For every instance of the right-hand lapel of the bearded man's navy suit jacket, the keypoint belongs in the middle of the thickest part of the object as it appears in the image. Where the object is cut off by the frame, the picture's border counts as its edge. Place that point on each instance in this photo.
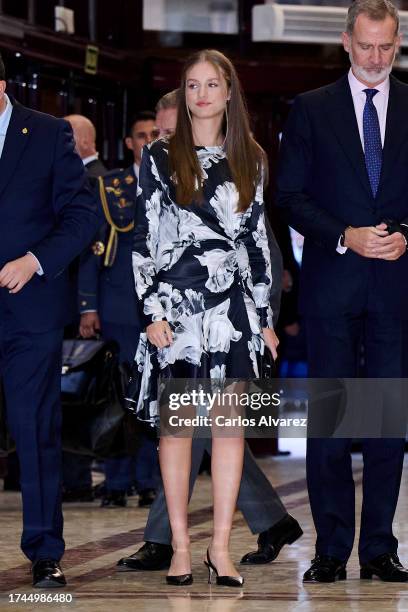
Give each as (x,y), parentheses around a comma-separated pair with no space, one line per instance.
(396,126)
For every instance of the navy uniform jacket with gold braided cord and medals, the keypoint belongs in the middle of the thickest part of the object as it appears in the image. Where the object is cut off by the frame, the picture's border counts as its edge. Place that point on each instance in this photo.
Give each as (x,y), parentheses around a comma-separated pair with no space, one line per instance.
(110,290)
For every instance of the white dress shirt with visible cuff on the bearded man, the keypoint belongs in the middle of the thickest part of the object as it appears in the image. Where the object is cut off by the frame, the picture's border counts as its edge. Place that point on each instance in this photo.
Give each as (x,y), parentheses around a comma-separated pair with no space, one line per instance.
(380,102)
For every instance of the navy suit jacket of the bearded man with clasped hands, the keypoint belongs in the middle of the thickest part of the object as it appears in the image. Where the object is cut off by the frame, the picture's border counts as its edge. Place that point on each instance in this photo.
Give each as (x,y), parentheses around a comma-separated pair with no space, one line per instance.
(323,187)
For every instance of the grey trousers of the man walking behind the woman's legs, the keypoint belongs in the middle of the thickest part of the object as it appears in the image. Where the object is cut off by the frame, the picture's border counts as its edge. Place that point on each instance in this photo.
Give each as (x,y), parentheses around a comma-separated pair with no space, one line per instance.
(257,499)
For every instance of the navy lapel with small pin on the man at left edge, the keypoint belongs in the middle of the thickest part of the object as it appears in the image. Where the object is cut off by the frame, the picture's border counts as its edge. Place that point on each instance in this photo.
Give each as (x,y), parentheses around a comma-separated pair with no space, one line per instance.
(17,137)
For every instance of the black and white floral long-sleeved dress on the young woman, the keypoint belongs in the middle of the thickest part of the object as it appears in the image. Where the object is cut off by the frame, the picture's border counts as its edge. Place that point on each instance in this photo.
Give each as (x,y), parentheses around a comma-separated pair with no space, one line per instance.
(205,269)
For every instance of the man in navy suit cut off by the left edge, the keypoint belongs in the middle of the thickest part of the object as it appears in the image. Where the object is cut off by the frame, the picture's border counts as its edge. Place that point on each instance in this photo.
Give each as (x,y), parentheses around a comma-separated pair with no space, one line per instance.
(48,215)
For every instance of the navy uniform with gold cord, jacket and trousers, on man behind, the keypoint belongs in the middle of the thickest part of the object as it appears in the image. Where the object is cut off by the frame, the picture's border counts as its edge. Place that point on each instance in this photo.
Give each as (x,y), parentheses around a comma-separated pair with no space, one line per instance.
(108,303)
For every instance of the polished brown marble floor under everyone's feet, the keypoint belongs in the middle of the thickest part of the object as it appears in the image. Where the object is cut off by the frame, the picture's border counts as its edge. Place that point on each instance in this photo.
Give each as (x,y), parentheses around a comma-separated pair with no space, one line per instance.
(96,538)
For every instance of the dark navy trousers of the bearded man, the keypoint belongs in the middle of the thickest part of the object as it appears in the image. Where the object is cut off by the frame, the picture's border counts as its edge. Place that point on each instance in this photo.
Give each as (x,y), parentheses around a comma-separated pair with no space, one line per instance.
(333,351)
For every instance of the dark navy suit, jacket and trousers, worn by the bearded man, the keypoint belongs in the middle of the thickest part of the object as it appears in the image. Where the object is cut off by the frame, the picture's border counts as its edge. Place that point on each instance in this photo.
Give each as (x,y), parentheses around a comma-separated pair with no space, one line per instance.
(323,187)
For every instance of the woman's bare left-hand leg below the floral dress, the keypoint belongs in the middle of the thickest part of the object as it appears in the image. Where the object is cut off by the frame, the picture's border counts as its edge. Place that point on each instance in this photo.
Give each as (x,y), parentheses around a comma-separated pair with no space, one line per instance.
(175,465)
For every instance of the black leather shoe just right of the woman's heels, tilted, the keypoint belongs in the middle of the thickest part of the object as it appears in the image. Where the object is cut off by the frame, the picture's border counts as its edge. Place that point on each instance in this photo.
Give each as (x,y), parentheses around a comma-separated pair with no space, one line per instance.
(271,542)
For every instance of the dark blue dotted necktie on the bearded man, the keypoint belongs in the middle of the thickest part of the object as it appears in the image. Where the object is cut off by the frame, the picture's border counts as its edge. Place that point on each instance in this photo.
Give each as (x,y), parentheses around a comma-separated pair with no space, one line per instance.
(372,140)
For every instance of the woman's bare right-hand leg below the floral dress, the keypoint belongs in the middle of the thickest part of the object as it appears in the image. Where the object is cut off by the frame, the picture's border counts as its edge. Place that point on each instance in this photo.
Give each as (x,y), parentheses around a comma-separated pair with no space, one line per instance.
(226,470)
